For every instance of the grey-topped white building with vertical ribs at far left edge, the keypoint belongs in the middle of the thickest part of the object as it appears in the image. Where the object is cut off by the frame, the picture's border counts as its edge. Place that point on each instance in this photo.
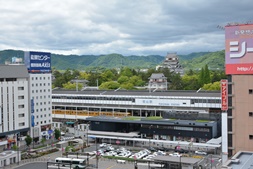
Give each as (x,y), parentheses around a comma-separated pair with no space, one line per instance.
(14,109)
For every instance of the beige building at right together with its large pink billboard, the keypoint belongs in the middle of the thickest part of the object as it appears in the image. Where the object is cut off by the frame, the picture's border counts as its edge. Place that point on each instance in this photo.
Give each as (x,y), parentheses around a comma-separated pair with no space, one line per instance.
(239,68)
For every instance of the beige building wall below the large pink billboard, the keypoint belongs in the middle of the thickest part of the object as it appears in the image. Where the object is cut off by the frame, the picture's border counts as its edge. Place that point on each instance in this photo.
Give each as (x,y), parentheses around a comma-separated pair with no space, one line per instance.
(240,113)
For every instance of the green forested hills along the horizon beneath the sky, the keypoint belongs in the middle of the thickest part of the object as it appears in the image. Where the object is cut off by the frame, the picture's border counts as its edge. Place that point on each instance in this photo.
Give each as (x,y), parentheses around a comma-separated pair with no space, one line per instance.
(84,62)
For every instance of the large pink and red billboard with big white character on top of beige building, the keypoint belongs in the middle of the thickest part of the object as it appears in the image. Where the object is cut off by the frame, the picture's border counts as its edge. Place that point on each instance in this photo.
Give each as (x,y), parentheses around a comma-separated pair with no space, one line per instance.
(239,49)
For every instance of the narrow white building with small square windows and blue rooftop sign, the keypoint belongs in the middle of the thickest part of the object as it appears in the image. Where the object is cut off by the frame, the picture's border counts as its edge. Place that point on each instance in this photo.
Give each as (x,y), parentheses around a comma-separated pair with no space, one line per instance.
(39,68)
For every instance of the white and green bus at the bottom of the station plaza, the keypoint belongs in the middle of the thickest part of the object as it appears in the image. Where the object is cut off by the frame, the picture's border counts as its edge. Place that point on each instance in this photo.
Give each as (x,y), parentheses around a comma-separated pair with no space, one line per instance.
(72,162)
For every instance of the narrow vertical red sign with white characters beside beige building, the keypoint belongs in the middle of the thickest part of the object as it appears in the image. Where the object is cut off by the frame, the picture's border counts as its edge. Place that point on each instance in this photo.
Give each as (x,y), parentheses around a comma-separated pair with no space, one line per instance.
(224,95)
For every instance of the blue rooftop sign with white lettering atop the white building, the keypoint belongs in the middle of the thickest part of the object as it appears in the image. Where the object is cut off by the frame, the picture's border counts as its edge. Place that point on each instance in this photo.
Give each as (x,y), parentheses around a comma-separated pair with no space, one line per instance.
(38,61)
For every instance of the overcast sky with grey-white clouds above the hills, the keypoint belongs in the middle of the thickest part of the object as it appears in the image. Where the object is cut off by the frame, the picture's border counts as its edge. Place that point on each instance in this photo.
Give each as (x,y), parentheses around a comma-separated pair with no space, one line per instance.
(128,27)
